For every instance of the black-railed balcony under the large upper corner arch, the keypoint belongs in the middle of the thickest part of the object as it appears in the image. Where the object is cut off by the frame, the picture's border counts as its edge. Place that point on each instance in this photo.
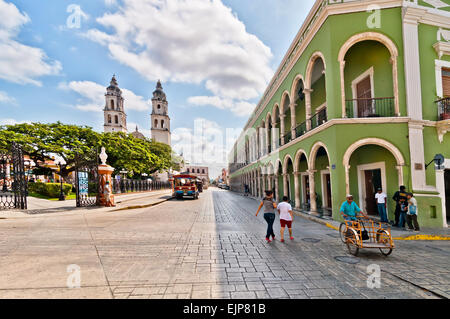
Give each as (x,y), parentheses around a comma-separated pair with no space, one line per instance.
(374,107)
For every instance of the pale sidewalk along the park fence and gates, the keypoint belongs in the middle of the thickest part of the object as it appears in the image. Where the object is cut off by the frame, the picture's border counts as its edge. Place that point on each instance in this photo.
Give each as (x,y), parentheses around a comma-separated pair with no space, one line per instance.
(41,207)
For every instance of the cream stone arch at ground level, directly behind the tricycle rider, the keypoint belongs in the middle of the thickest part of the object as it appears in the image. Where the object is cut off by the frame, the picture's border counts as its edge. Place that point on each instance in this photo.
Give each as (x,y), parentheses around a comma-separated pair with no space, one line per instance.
(373,141)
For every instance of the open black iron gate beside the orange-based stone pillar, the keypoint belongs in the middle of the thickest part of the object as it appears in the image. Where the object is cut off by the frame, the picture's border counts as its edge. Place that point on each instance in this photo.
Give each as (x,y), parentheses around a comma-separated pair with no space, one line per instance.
(87,180)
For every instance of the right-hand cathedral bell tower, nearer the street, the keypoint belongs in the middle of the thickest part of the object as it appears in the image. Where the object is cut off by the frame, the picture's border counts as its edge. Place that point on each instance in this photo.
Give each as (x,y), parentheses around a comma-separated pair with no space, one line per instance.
(160,116)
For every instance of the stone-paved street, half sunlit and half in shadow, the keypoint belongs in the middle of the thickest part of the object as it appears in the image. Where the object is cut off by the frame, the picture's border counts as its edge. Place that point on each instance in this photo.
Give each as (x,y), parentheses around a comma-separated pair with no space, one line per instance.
(210,248)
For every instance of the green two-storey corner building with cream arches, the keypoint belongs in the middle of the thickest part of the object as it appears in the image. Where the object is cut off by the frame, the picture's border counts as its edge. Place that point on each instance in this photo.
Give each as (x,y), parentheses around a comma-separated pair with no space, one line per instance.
(361,101)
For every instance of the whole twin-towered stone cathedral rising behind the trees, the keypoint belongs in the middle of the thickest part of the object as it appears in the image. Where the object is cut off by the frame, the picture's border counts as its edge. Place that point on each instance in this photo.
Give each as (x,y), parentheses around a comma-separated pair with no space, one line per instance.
(116,119)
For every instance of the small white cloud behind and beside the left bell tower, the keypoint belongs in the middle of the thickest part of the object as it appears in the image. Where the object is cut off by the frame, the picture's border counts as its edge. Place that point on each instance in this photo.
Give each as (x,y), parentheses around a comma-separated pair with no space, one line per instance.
(93,97)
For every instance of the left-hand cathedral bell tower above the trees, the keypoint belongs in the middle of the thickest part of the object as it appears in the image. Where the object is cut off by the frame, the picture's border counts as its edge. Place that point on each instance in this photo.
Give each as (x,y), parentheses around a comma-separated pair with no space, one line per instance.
(115,117)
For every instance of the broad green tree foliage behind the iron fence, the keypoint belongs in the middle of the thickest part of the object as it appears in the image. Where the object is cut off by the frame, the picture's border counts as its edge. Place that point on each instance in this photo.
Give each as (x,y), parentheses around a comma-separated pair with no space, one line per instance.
(78,146)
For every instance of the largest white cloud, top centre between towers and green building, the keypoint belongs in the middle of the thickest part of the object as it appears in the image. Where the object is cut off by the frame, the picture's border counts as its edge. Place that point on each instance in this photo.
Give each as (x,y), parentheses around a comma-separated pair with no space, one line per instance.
(196,41)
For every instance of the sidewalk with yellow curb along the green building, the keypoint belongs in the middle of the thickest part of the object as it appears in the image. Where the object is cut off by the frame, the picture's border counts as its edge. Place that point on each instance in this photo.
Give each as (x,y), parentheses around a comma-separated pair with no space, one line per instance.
(397,234)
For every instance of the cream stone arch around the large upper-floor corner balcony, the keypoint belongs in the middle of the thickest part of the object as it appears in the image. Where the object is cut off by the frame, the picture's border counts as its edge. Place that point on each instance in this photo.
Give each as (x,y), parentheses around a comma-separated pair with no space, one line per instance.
(370,36)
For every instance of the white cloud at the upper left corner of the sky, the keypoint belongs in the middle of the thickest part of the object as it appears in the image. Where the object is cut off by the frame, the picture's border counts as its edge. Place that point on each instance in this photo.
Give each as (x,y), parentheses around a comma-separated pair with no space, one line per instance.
(20,63)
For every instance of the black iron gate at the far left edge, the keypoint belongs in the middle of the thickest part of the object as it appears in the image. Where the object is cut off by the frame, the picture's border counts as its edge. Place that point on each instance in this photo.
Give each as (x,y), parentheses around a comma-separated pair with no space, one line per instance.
(13,181)
